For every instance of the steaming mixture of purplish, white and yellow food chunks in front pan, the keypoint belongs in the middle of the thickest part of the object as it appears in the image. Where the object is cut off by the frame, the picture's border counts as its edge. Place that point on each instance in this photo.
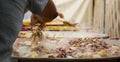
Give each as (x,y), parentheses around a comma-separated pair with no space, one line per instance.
(66,48)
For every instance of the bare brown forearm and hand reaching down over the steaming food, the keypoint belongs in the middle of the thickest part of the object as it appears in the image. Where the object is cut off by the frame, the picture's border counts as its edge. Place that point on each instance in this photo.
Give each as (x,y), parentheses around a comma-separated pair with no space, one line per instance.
(47,15)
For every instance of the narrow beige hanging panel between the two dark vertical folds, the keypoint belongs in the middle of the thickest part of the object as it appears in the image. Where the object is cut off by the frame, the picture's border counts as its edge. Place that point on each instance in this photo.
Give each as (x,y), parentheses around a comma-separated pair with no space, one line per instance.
(98,18)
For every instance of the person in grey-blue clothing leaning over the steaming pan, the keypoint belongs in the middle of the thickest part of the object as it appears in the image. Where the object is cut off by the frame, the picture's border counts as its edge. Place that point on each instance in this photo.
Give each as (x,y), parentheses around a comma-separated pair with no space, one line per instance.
(11,16)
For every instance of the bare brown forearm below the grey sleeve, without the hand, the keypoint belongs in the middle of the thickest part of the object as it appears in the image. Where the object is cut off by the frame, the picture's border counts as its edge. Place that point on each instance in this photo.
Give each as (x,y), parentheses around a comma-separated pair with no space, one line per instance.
(49,13)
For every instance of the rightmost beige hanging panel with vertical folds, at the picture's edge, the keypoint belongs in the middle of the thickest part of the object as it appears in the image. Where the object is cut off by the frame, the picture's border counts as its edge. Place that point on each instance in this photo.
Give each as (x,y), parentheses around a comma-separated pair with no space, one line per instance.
(112,21)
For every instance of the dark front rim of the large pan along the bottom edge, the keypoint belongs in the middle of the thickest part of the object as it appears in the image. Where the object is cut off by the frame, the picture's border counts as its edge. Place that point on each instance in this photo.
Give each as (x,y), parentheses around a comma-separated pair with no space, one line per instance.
(107,59)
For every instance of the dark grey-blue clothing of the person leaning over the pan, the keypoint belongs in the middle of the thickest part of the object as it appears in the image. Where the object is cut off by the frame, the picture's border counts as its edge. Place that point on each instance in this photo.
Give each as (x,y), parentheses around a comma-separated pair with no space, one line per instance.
(11,16)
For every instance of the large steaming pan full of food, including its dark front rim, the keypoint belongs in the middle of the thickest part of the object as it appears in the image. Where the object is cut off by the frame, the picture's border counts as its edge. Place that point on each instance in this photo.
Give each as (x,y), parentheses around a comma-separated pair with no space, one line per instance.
(68,49)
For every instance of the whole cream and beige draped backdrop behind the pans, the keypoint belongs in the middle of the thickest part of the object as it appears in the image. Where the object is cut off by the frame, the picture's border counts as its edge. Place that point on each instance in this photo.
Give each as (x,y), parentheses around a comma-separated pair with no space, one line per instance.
(101,16)
